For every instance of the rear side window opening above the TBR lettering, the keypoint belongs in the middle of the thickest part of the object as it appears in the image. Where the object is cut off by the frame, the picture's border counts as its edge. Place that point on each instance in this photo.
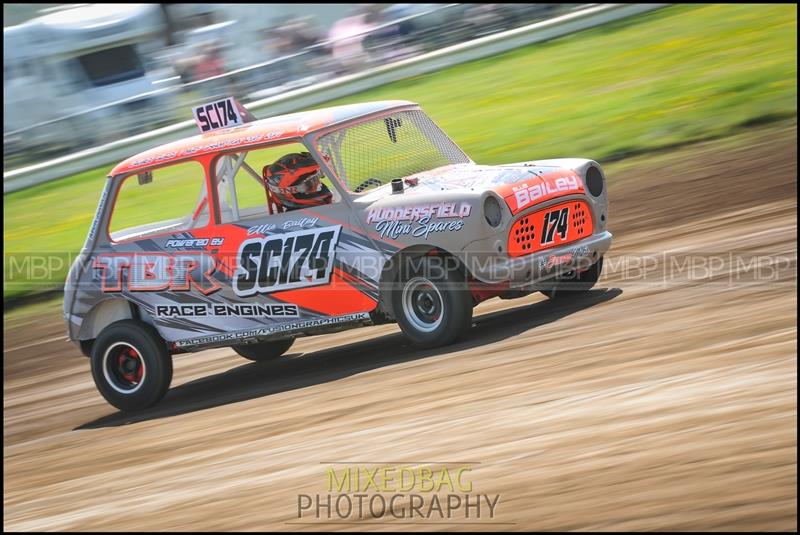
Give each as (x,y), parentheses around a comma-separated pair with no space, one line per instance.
(168,199)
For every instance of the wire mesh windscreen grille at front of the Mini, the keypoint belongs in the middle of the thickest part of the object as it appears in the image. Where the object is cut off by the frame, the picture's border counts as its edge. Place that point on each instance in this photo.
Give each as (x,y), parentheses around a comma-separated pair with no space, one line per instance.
(373,153)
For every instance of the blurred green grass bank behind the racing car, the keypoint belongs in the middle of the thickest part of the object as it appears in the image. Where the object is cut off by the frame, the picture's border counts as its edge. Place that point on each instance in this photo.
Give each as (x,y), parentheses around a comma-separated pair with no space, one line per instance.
(670,77)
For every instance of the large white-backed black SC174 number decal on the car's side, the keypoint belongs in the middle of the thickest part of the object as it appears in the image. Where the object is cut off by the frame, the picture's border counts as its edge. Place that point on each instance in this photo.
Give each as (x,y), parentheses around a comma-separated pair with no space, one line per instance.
(286,261)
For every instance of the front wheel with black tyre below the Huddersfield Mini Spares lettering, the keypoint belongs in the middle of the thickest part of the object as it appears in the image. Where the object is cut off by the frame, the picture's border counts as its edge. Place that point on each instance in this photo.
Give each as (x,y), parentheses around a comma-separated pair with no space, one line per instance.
(431,301)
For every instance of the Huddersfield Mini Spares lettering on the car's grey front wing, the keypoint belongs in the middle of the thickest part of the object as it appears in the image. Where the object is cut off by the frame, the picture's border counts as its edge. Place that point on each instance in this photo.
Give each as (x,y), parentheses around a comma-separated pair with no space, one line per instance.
(417,220)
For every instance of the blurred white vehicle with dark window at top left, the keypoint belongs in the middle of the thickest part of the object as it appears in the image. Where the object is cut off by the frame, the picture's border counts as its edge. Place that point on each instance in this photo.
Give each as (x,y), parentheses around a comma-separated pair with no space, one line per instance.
(59,65)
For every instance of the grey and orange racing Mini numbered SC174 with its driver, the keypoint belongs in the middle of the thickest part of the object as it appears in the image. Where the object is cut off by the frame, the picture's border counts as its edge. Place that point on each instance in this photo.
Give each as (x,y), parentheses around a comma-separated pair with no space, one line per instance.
(256,232)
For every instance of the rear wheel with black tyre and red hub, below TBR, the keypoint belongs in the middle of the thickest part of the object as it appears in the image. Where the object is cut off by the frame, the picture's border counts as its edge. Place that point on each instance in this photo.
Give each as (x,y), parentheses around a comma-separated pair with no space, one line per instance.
(131,366)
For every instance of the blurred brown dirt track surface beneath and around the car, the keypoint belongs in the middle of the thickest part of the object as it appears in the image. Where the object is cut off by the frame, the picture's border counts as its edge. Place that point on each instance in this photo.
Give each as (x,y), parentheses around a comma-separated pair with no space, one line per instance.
(660,402)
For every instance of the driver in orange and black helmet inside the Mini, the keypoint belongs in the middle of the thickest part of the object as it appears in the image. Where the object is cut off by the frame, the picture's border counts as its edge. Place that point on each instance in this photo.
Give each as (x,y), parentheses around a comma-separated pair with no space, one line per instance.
(294,182)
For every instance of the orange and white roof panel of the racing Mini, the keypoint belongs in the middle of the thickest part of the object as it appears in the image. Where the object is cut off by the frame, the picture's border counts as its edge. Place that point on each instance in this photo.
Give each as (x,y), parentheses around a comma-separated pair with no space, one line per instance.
(272,129)
